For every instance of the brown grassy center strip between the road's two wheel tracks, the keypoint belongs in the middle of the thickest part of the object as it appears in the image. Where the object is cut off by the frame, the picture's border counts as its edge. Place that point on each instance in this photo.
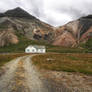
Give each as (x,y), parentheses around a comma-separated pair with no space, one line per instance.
(19,82)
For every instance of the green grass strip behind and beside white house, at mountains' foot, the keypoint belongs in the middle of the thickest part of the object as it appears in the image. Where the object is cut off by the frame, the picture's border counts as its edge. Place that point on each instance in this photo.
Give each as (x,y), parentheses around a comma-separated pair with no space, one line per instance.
(24,42)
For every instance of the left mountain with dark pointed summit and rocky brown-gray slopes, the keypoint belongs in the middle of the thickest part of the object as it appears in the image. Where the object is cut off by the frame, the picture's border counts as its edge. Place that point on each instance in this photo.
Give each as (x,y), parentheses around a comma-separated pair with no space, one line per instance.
(17,22)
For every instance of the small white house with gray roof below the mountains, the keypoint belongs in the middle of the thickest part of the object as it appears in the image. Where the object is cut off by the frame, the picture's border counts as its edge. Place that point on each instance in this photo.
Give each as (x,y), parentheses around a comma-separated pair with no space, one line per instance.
(35,49)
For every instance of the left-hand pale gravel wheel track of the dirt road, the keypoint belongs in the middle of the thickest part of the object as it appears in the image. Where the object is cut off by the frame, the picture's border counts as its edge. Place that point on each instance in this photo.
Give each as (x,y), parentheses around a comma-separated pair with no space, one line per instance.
(8,76)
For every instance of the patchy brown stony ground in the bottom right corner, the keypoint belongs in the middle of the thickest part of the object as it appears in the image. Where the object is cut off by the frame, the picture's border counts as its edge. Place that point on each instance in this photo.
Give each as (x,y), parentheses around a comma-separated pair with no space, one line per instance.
(76,82)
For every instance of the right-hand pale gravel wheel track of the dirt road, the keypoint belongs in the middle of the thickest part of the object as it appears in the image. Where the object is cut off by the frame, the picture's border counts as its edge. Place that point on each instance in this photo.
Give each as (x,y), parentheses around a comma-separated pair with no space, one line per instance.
(32,77)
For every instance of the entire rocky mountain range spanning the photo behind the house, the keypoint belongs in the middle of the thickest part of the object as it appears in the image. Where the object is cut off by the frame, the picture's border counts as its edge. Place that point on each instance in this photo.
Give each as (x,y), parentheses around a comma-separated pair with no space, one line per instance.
(17,24)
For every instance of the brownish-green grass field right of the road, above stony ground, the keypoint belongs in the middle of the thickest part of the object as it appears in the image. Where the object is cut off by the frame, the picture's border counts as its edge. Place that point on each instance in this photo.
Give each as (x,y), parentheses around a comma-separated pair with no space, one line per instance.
(81,63)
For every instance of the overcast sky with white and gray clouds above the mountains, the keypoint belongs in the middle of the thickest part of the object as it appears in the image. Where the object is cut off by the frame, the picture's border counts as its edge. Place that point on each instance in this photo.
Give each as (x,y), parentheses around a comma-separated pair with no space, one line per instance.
(54,12)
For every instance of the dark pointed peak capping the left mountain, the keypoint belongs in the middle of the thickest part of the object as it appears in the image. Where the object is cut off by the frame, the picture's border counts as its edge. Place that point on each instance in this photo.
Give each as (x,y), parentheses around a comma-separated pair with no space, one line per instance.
(17,12)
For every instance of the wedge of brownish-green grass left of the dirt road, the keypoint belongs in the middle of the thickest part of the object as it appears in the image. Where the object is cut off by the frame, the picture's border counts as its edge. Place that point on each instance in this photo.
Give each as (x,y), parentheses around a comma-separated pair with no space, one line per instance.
(6,58)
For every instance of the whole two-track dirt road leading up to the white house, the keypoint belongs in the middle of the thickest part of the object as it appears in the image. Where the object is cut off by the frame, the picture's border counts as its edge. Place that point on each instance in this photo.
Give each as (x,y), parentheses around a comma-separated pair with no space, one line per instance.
(22,76)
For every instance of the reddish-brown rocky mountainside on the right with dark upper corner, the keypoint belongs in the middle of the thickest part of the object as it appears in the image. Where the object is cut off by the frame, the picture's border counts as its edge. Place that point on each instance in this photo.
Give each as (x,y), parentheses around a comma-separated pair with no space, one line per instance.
(74,33)
